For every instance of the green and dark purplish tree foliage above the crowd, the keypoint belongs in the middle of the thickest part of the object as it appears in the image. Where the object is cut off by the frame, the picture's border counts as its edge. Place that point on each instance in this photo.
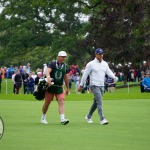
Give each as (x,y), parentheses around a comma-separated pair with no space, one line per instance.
(32,27)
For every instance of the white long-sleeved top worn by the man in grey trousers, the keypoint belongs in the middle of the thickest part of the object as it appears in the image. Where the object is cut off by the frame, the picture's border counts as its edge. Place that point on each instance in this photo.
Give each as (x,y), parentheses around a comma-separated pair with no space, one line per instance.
(97,71)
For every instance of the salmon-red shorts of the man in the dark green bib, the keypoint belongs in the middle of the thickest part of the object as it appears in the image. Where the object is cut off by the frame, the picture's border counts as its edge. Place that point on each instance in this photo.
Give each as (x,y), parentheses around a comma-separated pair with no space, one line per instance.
(49,96)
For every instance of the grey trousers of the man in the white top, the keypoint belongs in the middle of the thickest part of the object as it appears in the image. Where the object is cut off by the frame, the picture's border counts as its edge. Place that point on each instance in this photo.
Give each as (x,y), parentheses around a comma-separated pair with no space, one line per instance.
(97,103)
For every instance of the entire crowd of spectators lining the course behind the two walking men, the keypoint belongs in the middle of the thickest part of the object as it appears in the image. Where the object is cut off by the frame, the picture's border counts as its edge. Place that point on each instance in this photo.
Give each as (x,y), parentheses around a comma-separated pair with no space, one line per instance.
(23,76)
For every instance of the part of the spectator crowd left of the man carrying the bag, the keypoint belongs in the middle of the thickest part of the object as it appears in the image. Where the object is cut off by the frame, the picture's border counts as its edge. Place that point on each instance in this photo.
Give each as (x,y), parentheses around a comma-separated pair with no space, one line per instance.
(24,80)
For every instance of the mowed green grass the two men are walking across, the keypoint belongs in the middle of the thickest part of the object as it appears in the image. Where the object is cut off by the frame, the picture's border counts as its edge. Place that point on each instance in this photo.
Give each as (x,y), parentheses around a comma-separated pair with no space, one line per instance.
(128,113)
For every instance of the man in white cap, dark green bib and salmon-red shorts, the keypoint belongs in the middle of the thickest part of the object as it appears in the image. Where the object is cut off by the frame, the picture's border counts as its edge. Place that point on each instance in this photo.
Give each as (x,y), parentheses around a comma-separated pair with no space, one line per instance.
(56,70)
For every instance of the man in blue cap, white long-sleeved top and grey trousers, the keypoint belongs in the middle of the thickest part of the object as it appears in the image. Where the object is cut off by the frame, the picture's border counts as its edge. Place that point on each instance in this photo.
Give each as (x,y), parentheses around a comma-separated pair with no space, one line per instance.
(97,69)
